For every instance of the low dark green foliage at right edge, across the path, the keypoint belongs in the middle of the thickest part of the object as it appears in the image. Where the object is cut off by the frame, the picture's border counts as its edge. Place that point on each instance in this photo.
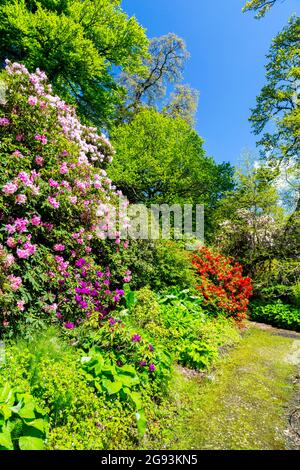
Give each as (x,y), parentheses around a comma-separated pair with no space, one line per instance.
(277,314)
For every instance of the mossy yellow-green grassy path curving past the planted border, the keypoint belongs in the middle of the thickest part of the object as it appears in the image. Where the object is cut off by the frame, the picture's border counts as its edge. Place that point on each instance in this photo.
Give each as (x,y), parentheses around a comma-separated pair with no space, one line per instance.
(243,404)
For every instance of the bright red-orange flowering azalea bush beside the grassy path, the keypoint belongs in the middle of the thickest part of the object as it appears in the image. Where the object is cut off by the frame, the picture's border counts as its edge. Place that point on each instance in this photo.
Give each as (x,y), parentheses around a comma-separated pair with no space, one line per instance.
(221,282)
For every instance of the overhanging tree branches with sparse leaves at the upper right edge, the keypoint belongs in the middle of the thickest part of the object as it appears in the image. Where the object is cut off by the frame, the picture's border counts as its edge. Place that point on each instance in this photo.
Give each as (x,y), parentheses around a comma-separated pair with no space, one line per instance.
(277,109)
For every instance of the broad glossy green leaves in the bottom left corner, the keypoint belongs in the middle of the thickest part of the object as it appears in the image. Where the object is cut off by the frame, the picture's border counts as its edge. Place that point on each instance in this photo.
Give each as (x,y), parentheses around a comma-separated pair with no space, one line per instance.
(23,424)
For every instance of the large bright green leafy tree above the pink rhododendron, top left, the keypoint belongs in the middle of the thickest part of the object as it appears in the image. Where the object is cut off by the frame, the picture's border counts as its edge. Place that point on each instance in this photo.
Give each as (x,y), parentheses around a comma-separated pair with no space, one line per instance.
(79,44)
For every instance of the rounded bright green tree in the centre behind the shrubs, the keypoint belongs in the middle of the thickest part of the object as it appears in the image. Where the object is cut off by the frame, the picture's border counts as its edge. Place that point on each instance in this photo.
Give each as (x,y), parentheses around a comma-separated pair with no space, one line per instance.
(160,159)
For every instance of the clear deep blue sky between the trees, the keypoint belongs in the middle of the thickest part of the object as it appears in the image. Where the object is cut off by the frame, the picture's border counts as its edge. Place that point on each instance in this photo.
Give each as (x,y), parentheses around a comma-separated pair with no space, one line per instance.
(227,61)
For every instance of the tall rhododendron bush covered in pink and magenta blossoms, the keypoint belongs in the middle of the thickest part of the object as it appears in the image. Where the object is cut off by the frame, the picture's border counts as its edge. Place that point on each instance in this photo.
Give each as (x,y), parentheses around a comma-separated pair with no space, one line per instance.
(54,194)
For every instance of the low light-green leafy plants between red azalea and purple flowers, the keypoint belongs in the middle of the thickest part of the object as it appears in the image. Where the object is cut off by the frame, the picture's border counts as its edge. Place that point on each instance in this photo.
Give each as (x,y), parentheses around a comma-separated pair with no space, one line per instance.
(177,321)
